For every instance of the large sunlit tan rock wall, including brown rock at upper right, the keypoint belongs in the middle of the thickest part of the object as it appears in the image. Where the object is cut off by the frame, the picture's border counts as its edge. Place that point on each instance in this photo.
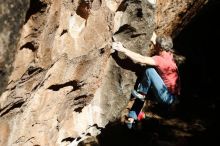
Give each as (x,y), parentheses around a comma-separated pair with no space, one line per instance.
(66,85)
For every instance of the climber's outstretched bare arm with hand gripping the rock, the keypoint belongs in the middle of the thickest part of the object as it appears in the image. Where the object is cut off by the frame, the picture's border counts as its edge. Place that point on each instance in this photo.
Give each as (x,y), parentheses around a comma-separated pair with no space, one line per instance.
(134,56)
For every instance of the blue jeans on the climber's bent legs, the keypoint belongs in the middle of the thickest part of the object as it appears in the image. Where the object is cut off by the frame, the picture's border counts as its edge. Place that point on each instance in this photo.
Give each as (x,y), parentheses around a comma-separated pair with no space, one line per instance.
(151,79)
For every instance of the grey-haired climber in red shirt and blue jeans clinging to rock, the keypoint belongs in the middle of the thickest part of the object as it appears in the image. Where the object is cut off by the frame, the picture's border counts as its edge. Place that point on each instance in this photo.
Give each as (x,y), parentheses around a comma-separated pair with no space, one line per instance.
(160,75)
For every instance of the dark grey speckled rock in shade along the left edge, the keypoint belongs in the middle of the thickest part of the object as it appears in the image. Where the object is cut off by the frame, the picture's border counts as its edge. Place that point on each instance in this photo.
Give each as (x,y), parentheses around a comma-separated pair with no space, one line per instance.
(12,17)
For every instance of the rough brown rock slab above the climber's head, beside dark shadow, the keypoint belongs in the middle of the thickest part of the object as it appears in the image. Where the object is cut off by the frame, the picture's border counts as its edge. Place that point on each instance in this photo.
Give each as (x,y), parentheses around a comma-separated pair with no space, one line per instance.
(173,15)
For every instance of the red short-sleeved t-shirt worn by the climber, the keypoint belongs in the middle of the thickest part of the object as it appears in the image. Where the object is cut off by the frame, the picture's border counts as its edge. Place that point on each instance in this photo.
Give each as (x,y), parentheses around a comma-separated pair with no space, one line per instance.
(168,71)
